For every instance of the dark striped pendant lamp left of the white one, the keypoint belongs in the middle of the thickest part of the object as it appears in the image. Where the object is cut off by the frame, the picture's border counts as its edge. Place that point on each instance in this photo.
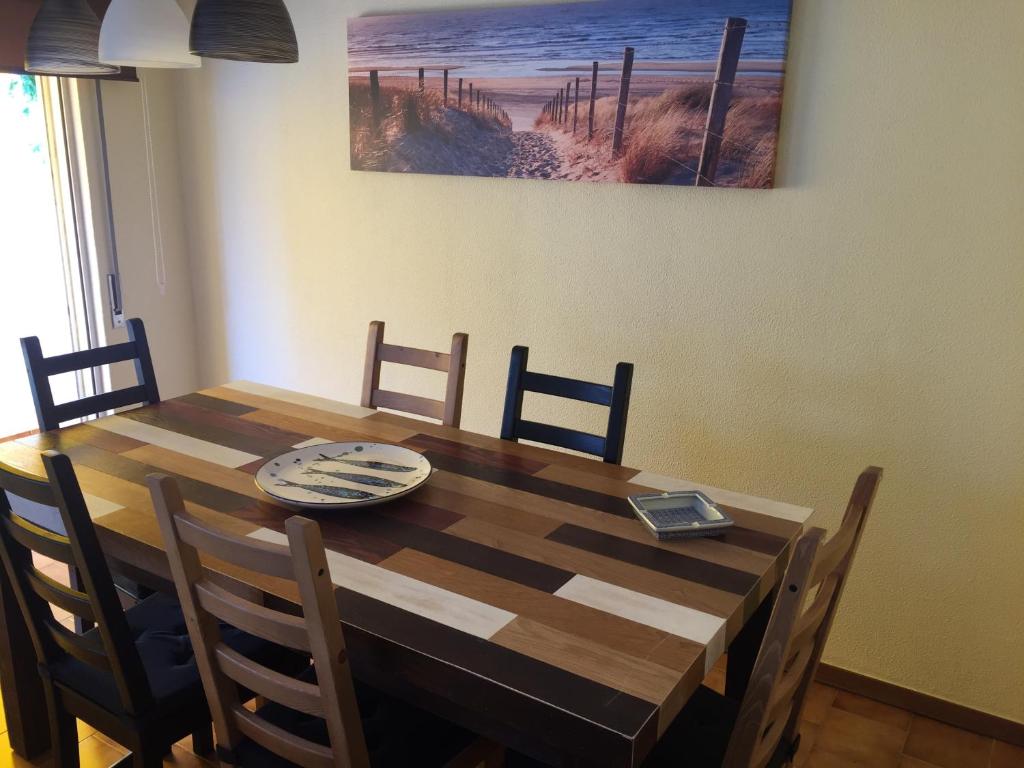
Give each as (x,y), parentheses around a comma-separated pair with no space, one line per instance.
(64,39)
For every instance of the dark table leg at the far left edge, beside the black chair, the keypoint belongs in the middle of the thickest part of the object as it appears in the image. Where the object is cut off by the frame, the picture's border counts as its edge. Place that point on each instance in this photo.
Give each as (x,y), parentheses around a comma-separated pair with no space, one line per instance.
(24,701)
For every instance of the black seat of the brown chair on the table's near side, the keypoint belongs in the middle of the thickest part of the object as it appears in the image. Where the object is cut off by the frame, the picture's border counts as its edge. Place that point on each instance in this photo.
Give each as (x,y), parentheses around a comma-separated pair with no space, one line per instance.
(398,736)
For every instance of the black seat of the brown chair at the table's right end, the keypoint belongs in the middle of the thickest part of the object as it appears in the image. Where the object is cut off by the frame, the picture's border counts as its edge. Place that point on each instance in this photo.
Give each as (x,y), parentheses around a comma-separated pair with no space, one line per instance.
(698,739)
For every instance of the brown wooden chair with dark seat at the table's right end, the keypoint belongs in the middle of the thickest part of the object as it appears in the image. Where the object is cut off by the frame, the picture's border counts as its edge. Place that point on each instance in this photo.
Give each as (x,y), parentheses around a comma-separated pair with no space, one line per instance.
(764,729)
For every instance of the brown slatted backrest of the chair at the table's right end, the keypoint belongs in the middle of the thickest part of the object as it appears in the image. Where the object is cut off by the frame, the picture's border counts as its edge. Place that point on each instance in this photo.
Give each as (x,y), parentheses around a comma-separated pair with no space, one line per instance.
(797,634)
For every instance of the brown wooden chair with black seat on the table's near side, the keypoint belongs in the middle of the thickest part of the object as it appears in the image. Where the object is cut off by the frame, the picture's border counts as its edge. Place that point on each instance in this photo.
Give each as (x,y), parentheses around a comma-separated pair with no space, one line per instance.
(317,719)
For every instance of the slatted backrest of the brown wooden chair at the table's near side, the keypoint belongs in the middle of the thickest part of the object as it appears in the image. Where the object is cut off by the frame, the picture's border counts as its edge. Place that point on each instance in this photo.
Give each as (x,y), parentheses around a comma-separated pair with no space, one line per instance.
(318,632)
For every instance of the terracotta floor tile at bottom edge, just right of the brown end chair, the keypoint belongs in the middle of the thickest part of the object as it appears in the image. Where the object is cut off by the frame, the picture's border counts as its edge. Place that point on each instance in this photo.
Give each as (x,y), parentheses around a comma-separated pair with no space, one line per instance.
(857,741)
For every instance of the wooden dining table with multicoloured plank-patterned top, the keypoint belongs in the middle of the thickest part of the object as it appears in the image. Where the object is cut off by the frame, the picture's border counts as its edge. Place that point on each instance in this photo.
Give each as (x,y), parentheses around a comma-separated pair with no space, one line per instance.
(516,593)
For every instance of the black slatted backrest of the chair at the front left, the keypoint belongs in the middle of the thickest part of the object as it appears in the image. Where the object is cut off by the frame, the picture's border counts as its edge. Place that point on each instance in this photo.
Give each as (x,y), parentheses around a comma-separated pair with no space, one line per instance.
(110,649)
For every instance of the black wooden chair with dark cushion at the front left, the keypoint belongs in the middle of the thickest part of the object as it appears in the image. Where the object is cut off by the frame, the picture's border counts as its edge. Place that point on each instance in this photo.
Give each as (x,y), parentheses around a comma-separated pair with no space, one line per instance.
(130,678)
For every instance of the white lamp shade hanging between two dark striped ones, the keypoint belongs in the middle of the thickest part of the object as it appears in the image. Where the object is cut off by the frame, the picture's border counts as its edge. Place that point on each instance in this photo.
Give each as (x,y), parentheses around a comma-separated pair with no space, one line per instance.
(146,33)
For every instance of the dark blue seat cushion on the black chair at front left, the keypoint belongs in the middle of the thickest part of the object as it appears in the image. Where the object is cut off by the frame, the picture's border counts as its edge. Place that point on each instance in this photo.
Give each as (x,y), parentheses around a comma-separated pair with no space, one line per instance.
(161,636)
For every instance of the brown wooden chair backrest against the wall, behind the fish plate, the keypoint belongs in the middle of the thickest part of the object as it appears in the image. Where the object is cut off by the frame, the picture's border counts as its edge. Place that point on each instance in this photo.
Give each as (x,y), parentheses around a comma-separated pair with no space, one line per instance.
(448,412)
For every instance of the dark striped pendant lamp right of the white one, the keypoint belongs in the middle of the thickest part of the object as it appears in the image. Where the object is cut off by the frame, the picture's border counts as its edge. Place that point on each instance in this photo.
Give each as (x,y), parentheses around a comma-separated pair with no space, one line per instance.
(244,31)
